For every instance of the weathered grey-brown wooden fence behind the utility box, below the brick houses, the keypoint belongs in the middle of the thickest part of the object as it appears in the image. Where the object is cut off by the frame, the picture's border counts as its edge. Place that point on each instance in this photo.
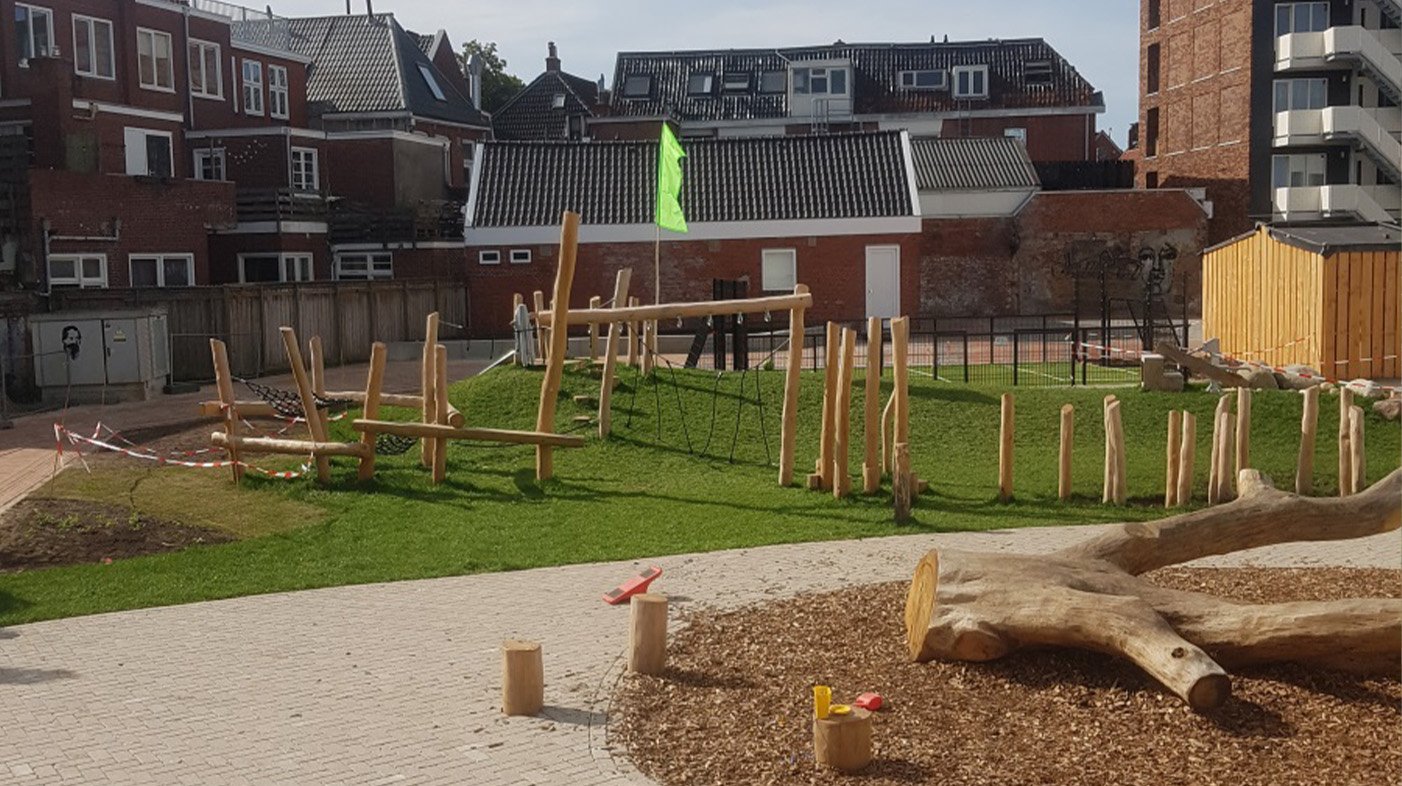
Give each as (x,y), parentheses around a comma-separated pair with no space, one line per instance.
(348,316)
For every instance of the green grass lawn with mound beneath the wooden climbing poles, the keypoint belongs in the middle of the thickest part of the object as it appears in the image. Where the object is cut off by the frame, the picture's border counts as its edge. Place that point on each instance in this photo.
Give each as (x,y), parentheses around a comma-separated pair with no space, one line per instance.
(636,495)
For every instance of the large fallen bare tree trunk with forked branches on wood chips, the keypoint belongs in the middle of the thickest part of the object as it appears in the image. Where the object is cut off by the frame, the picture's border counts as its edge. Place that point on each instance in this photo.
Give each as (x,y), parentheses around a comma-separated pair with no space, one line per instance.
(976,607)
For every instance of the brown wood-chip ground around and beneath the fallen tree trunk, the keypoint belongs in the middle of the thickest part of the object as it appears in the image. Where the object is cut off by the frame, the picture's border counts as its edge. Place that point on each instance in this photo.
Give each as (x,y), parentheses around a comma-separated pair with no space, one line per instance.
(735,707)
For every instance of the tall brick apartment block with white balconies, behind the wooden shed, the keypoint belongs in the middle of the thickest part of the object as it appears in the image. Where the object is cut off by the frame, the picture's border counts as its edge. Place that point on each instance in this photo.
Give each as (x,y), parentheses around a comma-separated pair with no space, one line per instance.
(1282,111)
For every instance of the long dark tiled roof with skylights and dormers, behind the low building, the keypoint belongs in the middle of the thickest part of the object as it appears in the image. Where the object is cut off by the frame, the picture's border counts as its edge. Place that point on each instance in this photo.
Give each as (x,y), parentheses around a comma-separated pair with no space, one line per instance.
(876,79)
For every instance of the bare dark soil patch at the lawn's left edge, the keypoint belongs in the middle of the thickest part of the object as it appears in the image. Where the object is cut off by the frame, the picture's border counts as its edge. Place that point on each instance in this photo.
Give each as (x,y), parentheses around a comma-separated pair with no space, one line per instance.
(44,533)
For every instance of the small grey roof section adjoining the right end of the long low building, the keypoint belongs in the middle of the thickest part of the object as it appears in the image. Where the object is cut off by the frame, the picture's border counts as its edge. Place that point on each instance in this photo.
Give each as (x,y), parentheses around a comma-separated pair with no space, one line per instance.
(972,163)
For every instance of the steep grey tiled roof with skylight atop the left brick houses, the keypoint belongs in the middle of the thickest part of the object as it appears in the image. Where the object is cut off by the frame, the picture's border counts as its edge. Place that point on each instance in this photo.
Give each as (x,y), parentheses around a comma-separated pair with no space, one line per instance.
(362,64)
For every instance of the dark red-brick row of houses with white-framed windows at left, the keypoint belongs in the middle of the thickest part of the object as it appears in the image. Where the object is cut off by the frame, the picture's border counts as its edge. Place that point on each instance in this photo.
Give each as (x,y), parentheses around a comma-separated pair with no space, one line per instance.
(161,144)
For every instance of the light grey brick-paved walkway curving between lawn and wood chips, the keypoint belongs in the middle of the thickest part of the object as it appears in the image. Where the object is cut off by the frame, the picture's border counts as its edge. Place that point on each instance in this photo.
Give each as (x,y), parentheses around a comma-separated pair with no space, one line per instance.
(399,683)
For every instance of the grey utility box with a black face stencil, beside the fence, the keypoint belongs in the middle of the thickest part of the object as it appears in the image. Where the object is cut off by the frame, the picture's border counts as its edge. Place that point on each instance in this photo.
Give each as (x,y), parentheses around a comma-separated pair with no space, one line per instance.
(102,357)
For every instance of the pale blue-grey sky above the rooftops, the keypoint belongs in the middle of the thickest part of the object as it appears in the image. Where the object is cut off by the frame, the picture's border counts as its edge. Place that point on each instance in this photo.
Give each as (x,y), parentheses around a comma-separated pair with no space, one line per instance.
(1098,37)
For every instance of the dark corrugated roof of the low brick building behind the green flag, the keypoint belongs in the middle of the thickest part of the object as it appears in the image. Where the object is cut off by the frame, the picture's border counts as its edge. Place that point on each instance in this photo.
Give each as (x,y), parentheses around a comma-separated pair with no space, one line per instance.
(529,184)
